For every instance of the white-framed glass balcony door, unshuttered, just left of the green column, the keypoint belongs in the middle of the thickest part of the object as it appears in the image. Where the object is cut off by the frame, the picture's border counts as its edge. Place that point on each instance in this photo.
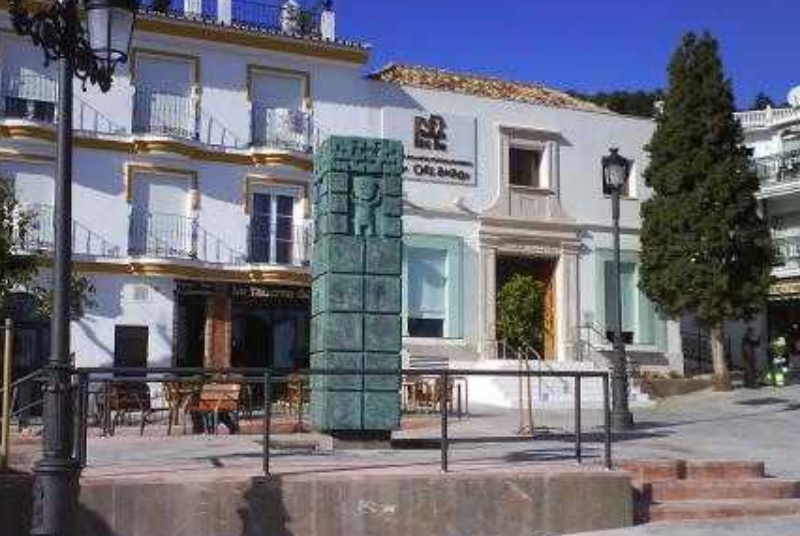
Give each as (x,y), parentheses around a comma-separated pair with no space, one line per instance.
(272,228)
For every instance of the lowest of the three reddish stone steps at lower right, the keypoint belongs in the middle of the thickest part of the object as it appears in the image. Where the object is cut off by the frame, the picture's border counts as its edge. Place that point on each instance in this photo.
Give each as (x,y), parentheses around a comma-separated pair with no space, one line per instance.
(721,509)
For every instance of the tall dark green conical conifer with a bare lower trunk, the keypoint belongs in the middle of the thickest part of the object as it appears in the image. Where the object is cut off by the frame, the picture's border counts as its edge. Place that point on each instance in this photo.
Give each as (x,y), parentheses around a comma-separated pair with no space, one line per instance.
(705,247)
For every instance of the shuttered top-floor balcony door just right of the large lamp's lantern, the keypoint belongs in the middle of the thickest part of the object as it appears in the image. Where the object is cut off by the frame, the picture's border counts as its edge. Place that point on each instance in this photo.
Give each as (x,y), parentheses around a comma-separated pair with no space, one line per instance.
(164,101)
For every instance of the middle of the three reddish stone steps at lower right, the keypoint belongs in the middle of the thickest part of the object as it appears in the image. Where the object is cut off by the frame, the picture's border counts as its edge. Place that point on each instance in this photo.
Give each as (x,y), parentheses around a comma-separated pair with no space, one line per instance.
(694,490)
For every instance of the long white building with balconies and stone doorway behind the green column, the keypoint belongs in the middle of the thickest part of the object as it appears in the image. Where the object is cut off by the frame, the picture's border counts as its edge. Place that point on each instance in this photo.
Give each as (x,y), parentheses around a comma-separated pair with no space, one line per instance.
(192,194)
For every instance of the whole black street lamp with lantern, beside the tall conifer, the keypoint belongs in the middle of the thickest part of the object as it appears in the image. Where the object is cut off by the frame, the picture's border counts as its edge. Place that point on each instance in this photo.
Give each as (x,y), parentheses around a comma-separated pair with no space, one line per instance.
(615,175)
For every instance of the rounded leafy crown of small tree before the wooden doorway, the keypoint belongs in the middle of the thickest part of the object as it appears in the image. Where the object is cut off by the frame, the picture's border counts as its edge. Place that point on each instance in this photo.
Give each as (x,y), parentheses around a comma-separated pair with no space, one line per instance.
(520,312)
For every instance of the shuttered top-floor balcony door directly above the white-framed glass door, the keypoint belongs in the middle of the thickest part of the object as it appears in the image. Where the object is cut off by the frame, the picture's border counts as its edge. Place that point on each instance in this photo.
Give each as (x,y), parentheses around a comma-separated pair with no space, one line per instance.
(279,118)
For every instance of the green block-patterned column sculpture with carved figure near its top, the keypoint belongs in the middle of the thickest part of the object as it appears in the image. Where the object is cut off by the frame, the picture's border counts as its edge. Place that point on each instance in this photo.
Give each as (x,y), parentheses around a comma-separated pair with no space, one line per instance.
(357,286)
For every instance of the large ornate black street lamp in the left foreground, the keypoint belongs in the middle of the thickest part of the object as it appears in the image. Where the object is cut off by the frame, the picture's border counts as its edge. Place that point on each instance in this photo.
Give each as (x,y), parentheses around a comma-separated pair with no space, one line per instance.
(90,55)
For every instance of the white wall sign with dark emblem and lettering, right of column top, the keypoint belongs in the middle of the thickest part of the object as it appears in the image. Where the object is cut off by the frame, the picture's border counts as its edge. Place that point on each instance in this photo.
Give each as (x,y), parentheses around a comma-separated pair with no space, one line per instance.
(438,147)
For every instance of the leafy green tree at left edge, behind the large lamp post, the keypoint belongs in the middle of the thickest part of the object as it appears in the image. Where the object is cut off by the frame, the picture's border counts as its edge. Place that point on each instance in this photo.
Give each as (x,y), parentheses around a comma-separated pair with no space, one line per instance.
(18,271)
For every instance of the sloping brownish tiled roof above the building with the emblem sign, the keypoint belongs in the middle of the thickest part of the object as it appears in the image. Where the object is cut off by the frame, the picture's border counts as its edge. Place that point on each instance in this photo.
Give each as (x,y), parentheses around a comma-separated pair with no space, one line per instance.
(481,86)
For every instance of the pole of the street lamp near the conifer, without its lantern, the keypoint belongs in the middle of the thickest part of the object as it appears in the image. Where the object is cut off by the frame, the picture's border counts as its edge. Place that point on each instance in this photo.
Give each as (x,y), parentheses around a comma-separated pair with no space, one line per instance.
(621,416)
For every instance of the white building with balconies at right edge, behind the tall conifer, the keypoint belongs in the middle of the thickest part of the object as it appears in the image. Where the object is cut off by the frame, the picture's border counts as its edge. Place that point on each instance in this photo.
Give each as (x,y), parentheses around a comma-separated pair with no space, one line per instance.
(773,135)
